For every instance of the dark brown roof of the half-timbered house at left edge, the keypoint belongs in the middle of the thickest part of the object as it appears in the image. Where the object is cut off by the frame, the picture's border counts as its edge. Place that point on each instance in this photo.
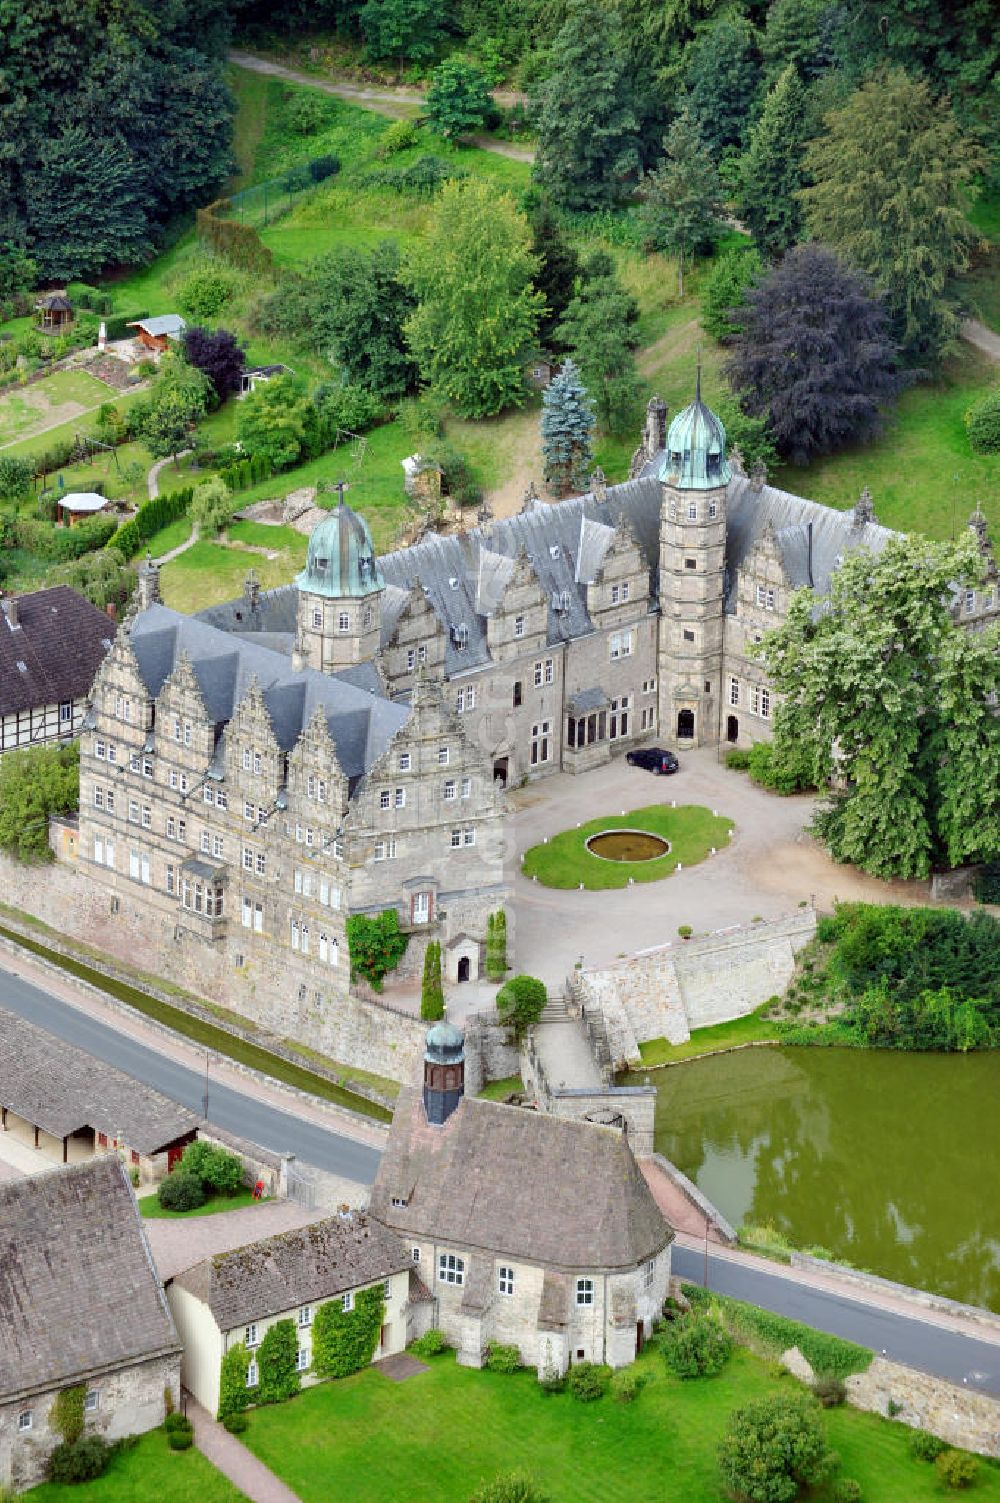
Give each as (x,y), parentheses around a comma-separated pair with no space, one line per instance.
(61,641)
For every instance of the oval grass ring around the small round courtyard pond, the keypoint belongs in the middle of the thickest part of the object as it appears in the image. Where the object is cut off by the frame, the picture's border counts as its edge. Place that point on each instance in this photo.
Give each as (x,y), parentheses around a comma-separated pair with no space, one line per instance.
(566,862)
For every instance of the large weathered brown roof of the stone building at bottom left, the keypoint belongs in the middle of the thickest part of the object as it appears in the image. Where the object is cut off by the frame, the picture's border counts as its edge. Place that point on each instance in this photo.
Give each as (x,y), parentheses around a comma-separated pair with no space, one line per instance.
(79,1293)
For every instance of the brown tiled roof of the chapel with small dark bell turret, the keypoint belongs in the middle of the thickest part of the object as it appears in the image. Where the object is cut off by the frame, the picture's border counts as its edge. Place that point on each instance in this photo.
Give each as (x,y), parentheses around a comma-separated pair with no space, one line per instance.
(509,1182)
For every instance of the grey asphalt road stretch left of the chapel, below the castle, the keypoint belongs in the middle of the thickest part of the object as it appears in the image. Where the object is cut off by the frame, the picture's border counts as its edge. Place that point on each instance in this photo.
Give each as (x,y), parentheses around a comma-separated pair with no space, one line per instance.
(235,1111)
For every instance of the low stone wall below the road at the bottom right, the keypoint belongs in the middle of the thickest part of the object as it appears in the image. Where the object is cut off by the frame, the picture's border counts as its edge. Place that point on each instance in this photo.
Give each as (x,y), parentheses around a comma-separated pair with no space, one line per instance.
(956,1415)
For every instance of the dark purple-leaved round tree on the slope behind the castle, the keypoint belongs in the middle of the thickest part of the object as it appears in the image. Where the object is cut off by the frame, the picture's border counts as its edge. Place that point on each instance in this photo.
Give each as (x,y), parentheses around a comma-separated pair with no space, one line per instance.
(814,357)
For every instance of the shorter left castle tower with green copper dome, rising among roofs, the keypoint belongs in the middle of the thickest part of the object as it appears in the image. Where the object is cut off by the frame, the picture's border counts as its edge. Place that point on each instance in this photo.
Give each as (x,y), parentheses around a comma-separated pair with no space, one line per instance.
(341,594)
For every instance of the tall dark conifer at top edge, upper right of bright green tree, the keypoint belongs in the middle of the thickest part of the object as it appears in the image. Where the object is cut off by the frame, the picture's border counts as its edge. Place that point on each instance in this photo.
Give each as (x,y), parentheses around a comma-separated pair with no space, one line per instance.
(589,153)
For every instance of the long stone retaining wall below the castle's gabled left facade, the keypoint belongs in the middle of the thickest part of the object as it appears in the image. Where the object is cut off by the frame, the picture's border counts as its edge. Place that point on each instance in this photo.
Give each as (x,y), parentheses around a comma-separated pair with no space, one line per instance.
(265,988)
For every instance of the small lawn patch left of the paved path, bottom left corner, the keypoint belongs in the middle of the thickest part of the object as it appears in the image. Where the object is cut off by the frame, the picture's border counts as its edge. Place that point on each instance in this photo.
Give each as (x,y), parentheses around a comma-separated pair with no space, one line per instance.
(148,1471)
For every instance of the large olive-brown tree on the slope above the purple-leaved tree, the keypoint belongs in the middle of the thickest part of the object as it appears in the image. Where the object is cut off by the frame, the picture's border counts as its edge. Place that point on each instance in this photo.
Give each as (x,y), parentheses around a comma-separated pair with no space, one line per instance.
(889,192)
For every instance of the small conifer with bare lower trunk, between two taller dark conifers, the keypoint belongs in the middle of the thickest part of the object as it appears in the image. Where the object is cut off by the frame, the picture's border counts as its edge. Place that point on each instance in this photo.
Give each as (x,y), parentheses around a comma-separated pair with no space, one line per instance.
(682,208)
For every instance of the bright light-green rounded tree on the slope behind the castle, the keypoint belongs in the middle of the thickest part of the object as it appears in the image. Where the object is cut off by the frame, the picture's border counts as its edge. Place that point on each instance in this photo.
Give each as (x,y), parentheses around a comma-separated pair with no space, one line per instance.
(477,310)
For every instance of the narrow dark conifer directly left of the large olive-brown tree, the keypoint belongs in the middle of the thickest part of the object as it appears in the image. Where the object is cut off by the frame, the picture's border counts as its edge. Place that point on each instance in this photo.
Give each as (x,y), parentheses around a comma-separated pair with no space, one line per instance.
(771,169)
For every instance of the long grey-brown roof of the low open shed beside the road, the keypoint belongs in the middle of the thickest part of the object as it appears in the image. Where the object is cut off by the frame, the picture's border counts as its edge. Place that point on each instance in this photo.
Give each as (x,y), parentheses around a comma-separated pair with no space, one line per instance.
(62,1090)
